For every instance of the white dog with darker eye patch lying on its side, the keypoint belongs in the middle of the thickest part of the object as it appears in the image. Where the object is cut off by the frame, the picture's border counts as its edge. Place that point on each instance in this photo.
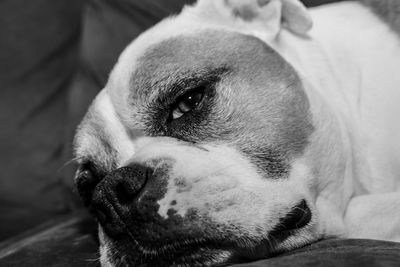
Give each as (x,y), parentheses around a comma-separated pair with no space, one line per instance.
(239,129)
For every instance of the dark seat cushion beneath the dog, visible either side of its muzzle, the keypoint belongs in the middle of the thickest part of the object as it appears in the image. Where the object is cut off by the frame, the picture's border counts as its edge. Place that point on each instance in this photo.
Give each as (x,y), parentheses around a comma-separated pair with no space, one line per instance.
(72,241)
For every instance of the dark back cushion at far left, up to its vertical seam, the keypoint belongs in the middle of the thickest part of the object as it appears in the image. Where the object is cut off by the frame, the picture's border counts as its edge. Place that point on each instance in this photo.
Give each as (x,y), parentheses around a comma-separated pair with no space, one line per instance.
(39,47)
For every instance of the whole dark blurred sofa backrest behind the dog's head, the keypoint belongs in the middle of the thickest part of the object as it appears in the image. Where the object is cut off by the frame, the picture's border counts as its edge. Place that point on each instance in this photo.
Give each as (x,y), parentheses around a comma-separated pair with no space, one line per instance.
(55,56)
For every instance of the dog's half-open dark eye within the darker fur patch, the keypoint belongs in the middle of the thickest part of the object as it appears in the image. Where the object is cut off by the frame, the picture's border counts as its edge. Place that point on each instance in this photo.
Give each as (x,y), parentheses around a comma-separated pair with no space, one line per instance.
(187,102)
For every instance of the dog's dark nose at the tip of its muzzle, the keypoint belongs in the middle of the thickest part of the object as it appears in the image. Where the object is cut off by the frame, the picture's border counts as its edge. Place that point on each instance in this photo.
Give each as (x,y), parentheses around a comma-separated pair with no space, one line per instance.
(117,193)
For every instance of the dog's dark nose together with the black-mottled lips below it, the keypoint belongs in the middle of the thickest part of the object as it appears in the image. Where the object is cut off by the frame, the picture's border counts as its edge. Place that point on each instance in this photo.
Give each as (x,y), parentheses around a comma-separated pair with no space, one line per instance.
(125,205)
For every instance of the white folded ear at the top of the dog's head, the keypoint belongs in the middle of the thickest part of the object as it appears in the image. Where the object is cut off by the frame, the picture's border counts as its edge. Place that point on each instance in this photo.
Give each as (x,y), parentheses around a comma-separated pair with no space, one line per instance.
(266,17)
